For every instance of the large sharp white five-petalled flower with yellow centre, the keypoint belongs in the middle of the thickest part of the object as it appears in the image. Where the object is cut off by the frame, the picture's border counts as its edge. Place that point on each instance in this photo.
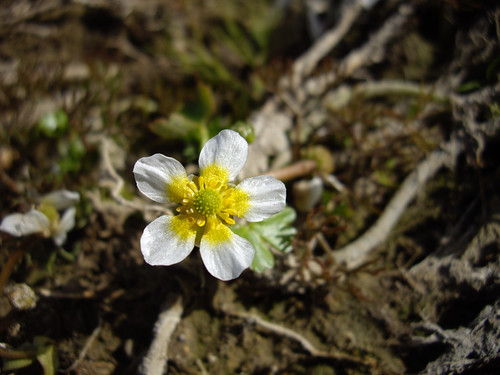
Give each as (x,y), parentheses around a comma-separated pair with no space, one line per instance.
(207,206)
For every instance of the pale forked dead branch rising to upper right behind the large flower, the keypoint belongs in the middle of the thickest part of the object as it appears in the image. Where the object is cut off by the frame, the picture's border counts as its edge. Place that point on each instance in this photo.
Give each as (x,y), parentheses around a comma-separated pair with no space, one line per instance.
(295,95)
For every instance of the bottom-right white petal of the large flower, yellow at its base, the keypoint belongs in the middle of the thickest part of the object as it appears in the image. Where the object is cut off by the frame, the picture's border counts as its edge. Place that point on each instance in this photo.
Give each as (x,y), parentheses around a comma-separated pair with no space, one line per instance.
(224,253)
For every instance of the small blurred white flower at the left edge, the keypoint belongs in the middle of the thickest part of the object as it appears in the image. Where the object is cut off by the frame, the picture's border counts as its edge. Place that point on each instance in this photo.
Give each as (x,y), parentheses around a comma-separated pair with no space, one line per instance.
(45,220)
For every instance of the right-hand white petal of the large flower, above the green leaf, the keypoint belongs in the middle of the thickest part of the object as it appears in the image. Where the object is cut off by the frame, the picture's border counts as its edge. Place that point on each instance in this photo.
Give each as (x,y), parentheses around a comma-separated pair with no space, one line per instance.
(266,196)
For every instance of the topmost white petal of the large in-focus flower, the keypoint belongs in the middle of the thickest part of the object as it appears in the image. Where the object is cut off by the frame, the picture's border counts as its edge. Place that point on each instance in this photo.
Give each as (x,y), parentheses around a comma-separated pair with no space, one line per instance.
(227,150)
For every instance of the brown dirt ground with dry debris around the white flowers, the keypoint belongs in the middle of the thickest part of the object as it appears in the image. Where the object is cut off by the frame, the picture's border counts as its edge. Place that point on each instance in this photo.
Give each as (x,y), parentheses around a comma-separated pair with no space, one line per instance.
(424,300)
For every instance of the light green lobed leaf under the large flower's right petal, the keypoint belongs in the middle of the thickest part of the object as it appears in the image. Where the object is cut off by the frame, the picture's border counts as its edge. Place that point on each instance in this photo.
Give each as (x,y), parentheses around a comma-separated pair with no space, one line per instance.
(275,233)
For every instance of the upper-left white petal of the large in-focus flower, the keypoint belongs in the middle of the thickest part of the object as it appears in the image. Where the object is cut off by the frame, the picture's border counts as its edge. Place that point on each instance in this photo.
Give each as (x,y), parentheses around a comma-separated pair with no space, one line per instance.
(160,178)
